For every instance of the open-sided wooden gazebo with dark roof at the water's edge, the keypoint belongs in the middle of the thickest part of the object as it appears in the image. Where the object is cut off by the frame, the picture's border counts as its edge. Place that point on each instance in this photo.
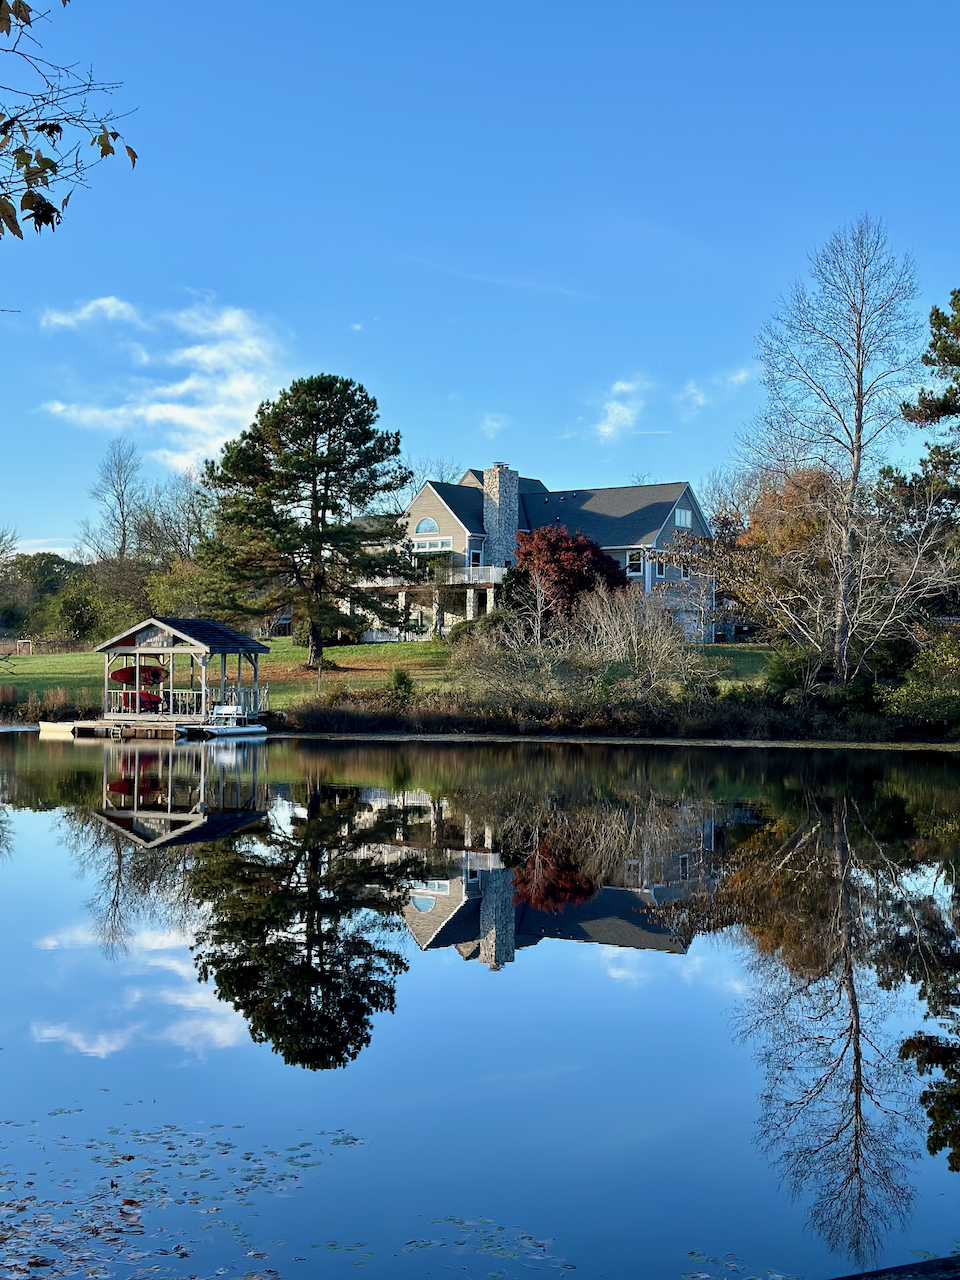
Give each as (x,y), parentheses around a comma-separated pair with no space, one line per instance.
(179,670)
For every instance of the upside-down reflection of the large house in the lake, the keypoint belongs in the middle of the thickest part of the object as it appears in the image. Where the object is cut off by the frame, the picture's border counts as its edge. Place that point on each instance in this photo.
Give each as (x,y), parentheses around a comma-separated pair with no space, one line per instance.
(469,900)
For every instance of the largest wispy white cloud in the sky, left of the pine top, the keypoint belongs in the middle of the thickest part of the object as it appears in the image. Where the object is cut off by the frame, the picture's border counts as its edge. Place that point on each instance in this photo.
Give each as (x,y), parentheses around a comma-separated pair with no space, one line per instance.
(232,364)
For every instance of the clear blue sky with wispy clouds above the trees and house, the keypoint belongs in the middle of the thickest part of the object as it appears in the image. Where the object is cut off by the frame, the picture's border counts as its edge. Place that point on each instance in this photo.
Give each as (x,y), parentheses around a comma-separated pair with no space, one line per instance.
(541,234)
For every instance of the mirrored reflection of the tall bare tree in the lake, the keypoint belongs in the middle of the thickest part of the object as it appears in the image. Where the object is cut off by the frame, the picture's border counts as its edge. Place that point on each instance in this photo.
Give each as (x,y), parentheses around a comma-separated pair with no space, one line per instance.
(836,1105)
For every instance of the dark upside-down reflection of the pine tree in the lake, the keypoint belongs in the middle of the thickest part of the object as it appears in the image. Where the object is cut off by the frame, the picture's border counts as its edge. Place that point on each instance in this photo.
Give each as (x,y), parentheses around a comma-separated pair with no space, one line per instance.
(299,931)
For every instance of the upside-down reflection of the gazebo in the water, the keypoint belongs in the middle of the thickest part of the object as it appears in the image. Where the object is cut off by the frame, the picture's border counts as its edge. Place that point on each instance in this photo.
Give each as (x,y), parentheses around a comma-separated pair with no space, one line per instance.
(164,796)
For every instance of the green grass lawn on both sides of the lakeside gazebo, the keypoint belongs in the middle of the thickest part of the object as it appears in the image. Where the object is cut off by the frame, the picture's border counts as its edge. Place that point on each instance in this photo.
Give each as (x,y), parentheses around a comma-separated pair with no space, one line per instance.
(360,666)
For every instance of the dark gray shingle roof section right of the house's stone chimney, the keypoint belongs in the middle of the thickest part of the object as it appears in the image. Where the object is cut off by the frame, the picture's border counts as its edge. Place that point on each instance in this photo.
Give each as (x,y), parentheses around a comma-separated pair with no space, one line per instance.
(629,516)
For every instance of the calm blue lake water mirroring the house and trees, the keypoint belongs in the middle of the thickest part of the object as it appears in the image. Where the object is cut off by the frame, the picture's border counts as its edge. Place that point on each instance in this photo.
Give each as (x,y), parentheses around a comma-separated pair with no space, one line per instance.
(299,1008)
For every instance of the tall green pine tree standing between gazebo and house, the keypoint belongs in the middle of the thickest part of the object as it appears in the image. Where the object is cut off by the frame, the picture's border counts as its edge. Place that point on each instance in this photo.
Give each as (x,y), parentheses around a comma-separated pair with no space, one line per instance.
(291,492)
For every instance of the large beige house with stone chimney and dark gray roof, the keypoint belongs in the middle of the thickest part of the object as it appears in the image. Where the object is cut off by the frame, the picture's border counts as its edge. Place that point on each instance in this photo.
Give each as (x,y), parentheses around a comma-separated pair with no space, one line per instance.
(473,527)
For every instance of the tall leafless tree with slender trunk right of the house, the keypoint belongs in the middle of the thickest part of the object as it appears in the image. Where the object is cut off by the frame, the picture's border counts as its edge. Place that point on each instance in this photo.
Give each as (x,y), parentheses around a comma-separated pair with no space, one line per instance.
(839,358)
